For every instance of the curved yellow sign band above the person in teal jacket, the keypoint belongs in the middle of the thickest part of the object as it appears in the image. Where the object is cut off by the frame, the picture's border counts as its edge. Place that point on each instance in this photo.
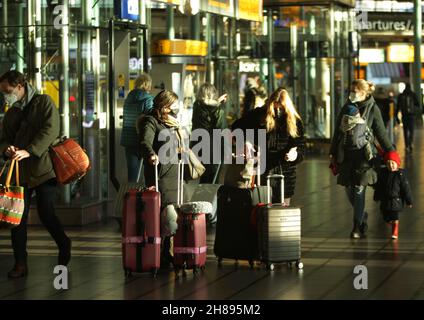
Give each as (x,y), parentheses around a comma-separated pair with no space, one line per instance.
(180,48)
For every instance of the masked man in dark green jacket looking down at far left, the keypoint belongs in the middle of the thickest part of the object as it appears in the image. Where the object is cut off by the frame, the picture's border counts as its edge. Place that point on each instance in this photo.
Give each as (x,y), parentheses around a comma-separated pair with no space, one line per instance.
(30,126)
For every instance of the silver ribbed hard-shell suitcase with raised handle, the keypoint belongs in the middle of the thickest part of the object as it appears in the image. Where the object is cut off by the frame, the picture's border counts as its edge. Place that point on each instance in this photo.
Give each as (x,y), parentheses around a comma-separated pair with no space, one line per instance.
(279,231)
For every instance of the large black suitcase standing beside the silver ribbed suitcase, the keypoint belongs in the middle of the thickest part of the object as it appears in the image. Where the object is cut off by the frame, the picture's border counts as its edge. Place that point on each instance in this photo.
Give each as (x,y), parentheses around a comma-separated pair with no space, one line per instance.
(236,236)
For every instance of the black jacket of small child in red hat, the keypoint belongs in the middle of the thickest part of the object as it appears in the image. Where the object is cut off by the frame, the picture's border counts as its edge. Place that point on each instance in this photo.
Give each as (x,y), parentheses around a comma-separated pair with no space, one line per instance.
(393,190)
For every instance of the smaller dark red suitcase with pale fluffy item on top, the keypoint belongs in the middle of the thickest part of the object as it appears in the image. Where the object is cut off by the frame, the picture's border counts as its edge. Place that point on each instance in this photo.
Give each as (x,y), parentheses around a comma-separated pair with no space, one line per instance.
(190,239)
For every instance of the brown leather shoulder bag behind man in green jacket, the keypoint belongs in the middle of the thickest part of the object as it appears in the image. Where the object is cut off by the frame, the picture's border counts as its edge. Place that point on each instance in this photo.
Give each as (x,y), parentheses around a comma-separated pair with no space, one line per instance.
(70,162)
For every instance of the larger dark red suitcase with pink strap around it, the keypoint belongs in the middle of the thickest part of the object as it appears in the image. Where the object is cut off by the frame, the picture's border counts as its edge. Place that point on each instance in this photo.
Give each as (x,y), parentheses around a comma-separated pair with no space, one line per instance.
(141,230)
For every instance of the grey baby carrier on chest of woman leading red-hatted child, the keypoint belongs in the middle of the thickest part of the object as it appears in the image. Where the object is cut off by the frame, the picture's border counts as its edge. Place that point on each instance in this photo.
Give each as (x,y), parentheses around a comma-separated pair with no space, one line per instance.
(360,135)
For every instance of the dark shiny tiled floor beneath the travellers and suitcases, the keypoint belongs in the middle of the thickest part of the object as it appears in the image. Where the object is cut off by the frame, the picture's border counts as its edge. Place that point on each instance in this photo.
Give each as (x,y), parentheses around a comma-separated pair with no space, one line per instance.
(395,268)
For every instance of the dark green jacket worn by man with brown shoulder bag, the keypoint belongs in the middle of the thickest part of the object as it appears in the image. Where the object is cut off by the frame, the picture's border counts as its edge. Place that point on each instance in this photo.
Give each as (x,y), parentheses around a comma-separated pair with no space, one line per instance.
(33,129)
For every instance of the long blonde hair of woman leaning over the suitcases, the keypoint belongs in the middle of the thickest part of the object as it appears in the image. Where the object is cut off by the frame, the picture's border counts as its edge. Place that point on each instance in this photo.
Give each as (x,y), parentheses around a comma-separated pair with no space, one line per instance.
(280,98)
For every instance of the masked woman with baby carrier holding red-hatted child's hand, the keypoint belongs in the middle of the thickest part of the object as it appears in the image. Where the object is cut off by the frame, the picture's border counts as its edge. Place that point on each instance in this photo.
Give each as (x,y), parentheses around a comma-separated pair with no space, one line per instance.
(353,162)
